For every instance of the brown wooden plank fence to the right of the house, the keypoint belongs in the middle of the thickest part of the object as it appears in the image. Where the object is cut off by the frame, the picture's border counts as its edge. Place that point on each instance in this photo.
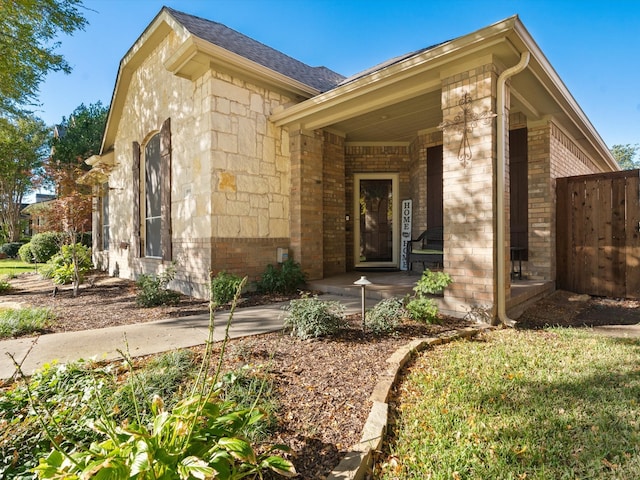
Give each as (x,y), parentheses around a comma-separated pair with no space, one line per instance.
(598,239)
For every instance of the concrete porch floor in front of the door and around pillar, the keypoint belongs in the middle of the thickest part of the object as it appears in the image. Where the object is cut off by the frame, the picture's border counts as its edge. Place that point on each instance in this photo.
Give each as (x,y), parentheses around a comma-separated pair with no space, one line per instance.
(399,283)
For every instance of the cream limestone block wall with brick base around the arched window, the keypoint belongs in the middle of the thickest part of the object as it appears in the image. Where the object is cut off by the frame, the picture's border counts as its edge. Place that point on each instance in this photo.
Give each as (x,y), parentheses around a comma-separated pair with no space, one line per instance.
(230,173)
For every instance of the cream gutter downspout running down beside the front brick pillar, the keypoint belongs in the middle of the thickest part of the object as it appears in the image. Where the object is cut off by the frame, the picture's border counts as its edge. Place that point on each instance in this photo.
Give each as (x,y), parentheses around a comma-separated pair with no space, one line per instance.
(501,167)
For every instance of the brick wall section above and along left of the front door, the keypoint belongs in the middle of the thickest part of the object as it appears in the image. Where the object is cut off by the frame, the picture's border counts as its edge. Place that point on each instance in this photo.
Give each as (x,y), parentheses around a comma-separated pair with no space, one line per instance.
(373,159)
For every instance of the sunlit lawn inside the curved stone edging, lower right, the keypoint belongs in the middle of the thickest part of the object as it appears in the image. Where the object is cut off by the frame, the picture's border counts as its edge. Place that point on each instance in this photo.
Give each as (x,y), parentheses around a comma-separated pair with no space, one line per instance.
(518,405)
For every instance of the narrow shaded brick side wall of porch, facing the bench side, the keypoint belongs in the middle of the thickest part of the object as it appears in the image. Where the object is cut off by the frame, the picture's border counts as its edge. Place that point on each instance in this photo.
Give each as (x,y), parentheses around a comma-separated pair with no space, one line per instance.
(334,206)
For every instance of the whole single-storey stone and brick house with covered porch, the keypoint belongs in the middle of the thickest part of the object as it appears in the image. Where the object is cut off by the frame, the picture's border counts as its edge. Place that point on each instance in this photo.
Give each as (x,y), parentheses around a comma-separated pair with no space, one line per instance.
(219,150)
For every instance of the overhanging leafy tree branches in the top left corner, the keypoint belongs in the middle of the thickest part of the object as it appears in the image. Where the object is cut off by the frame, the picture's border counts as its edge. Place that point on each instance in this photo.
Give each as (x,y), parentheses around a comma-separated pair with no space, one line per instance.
(28,30)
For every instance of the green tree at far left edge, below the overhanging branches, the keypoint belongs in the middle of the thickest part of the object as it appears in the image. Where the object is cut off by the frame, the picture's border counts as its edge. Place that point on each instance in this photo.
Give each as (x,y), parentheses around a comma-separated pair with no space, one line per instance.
(23,143)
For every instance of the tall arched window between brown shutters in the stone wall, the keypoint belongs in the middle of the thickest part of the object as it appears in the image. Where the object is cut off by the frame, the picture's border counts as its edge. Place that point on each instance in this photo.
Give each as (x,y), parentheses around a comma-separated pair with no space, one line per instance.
(152,199)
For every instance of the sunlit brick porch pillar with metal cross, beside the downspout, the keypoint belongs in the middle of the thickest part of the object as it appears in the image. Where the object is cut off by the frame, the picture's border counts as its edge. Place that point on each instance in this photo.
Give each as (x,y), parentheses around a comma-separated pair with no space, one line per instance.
(469,191)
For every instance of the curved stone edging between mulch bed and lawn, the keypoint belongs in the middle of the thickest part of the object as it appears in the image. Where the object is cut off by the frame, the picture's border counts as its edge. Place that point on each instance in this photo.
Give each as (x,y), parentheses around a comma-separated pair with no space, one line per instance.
(358,460)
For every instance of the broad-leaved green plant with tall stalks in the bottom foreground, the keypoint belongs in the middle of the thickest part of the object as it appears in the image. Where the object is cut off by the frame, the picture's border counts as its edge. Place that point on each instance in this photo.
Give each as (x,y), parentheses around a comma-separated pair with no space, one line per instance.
(200,437)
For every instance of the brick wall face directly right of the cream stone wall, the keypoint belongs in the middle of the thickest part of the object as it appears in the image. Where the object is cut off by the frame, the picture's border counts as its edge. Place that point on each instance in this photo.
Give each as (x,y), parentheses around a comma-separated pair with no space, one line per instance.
(306,201)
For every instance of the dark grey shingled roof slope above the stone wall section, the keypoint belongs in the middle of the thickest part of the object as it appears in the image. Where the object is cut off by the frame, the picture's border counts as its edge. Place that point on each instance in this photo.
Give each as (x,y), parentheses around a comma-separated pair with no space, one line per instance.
(320,78)
